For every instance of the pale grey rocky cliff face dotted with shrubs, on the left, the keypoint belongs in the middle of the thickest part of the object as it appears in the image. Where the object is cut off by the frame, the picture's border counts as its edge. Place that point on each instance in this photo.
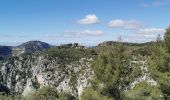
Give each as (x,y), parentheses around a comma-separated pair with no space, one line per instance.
(26,73)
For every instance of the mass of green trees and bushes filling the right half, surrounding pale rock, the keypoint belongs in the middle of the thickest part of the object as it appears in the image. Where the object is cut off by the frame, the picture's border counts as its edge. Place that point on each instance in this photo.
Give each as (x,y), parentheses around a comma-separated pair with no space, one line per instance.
(112,72)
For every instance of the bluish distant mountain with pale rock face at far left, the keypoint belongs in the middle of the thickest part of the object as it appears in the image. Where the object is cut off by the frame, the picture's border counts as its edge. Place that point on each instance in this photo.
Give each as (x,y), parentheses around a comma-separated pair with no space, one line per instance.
(27,47)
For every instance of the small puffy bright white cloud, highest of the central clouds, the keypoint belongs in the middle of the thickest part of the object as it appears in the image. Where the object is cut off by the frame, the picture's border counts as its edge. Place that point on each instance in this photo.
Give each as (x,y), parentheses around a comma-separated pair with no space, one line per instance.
(89,19)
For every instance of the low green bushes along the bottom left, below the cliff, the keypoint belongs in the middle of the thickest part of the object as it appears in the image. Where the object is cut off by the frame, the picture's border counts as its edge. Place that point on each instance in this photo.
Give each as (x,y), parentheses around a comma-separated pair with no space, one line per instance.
(44,93)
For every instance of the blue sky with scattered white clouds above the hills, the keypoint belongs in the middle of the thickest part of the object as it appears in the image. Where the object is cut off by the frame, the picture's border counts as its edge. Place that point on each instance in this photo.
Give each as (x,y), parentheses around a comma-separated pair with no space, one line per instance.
(87,22)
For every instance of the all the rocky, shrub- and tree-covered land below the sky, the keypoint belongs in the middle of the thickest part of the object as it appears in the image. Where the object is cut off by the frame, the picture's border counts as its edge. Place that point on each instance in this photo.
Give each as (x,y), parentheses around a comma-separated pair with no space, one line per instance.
(108,71)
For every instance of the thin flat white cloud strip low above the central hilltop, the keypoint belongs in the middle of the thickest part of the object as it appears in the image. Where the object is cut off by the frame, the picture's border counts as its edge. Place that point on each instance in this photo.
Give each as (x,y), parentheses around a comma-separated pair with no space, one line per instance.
(83,33)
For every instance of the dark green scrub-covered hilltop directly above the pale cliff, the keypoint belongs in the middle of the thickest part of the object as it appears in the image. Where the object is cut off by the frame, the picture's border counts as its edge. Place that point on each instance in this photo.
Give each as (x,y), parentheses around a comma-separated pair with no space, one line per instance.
(67,55)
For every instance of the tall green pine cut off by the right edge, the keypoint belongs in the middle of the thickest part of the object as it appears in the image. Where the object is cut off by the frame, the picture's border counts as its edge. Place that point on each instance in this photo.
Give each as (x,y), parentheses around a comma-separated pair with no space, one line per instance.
(159,64)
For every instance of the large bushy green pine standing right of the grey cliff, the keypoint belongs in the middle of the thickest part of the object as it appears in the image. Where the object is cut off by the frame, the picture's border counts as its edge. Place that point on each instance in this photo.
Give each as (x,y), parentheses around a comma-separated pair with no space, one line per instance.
(111,70)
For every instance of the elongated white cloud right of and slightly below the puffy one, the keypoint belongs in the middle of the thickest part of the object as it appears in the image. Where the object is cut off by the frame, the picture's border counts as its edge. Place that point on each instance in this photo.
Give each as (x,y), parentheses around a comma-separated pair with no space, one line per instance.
(118,23)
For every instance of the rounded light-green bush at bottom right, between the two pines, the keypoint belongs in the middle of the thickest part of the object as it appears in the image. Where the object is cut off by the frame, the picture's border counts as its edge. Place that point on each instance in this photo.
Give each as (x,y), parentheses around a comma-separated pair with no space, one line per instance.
(143,91)
